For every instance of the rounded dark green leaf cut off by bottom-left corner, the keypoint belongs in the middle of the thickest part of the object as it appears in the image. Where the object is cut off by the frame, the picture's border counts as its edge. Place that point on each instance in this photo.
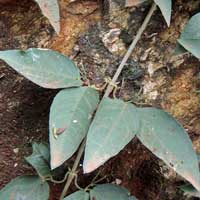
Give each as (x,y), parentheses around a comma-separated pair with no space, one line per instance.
(25,188)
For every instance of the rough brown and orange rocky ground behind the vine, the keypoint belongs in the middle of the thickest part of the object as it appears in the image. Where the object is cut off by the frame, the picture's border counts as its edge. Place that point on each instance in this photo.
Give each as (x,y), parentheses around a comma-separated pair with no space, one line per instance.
(153,76)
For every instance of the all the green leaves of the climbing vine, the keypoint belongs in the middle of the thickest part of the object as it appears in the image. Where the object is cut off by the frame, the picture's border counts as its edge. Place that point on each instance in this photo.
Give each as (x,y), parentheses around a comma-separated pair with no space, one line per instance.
(114,125)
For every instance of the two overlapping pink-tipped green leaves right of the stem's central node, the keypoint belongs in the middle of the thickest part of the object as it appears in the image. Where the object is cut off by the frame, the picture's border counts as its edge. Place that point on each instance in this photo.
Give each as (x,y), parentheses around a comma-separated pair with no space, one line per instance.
(115,125)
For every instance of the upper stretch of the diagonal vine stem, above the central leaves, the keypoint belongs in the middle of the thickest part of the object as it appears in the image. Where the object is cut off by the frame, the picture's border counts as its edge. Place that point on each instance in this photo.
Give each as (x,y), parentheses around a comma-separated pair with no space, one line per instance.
(130,50)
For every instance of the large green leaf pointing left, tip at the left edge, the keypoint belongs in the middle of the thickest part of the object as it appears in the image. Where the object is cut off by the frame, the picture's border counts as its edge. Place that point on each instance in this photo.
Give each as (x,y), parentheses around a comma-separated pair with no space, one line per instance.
(44,67)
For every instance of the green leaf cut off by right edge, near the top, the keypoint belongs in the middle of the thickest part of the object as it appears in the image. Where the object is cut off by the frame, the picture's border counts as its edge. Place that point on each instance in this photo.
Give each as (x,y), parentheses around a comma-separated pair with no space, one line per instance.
(190,37)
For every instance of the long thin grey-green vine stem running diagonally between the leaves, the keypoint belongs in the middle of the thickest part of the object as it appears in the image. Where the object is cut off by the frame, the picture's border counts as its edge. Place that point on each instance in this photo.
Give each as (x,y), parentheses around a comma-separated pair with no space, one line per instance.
(107,93)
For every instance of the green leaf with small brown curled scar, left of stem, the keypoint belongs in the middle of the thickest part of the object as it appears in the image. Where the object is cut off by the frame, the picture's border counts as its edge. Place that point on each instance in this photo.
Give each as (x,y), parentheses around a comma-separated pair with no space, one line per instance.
(70,117)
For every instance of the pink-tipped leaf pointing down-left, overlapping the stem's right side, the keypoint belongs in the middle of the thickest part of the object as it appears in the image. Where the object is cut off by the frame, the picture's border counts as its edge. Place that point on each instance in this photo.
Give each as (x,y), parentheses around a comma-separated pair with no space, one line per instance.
(114,126)
